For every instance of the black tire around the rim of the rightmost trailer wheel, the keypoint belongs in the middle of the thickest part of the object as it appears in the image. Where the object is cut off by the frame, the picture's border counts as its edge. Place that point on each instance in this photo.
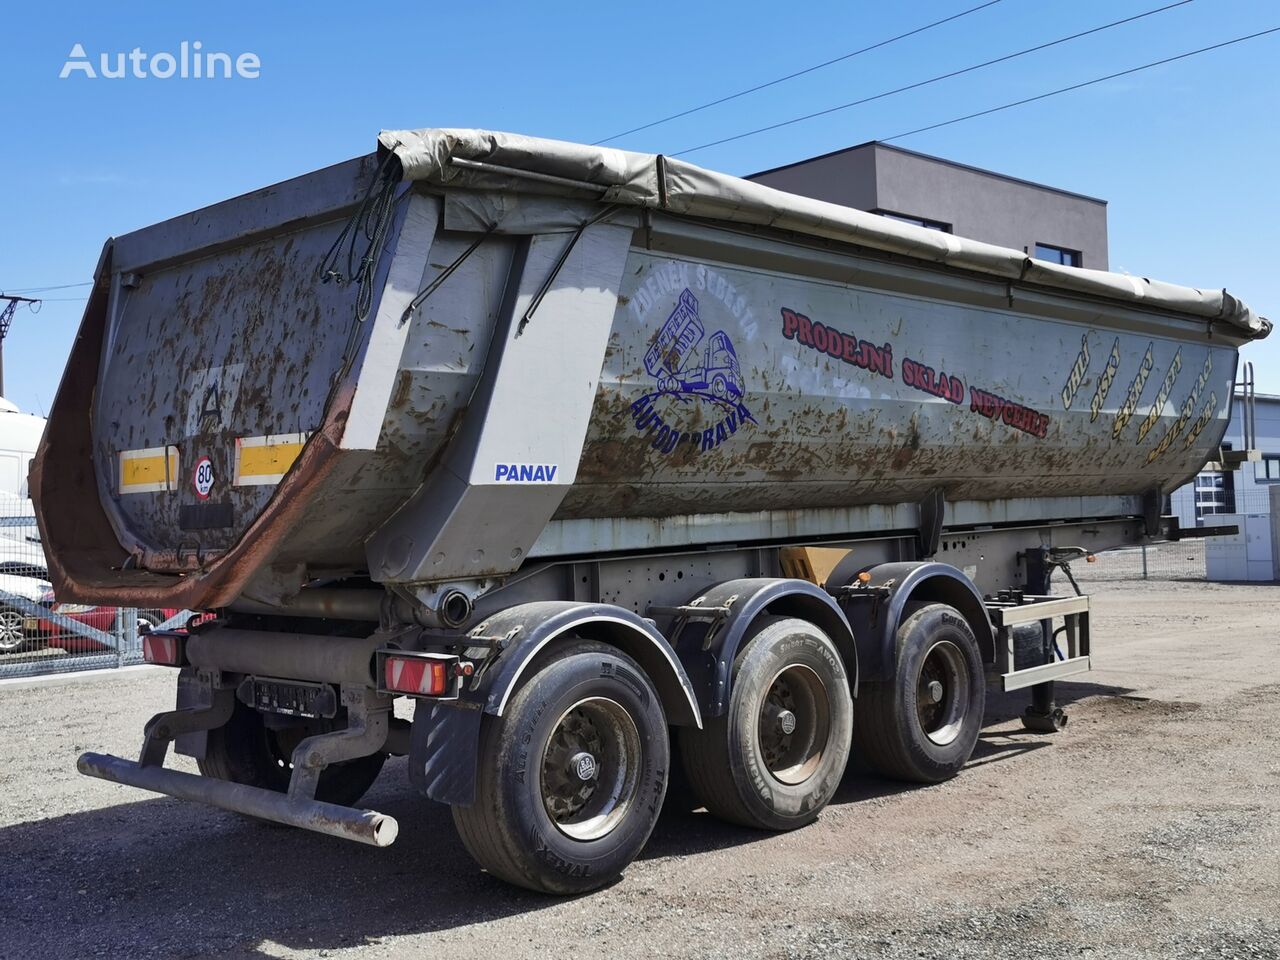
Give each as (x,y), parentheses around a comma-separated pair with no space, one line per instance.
(889,734)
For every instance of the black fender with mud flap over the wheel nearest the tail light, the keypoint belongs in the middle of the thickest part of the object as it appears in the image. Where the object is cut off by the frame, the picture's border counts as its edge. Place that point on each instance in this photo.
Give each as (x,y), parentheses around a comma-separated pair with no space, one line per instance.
(444,749)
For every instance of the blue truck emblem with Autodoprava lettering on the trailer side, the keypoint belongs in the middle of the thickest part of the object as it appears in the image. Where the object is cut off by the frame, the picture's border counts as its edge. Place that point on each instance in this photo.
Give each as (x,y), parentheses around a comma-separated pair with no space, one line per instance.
(689,368)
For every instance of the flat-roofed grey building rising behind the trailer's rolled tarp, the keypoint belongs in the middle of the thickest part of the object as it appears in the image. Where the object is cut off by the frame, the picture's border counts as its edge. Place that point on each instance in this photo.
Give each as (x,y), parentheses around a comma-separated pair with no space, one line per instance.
(1044,222)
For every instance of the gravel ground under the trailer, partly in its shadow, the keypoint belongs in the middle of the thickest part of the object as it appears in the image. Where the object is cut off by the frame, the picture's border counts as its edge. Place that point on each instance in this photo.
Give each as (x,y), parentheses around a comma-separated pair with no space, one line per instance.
(1150,829)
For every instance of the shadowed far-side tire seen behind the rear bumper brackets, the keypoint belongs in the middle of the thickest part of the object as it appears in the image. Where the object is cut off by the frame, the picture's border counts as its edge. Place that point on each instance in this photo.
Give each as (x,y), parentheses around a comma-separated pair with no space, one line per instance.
(245,751)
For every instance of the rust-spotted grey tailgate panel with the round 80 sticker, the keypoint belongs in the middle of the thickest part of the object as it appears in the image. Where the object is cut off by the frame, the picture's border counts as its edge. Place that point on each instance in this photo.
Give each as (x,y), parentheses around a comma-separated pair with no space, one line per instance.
(239,345)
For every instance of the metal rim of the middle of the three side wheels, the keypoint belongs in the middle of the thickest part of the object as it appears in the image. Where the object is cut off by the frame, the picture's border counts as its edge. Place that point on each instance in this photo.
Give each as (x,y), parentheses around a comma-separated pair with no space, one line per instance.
(794,725)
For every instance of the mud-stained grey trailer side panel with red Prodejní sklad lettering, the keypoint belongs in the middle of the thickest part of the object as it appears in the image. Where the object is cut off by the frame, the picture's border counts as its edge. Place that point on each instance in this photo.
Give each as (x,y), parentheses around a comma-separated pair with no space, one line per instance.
(729,390)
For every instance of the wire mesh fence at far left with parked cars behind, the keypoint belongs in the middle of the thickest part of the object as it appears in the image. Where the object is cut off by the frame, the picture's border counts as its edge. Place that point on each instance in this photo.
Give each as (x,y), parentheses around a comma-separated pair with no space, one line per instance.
(40,634)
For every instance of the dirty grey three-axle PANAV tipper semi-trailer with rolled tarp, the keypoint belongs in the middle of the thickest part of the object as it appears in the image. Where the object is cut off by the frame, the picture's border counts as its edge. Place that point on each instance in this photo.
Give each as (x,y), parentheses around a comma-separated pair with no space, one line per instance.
(605,460)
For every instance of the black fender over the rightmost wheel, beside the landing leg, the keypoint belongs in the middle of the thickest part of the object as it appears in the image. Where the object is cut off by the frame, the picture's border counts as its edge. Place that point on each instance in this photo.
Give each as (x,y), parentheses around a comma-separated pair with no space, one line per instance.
(876,620)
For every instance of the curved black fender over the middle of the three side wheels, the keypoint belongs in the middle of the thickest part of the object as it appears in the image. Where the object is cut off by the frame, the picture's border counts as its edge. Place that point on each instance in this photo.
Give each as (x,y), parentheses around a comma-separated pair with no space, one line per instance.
(712,665)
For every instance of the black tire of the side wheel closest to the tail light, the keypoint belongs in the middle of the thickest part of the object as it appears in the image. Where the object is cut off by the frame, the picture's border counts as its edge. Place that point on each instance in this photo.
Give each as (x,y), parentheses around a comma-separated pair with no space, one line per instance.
(509,829)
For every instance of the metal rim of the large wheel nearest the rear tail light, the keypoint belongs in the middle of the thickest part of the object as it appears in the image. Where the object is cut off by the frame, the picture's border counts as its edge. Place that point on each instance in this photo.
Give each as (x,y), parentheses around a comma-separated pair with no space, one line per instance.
(591,771)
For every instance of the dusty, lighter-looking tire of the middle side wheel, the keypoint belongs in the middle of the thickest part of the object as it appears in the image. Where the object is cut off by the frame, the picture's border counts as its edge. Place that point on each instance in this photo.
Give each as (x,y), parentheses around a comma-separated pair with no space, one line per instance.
(725,761)
